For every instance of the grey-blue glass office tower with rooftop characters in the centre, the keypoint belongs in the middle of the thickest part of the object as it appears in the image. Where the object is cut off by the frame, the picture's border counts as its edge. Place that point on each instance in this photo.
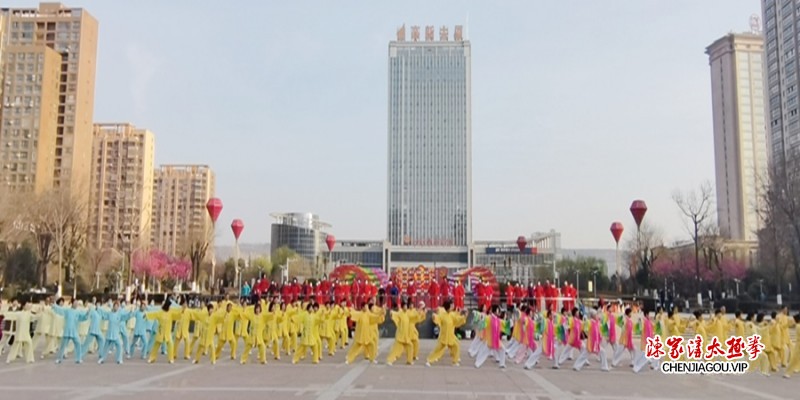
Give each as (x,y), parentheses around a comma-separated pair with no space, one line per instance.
(429,146)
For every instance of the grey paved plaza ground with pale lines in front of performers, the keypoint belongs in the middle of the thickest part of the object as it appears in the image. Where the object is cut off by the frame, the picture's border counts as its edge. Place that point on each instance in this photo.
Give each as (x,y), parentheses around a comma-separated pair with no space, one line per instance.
(332,379)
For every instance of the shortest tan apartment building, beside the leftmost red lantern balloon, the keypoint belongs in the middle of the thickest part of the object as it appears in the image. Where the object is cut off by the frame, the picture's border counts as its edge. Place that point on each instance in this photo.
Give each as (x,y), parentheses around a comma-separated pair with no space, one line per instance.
(179,209)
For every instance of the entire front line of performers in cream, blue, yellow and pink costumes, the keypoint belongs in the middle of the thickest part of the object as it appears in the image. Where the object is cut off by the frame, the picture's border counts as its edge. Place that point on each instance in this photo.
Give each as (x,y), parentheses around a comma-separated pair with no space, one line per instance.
(299,328)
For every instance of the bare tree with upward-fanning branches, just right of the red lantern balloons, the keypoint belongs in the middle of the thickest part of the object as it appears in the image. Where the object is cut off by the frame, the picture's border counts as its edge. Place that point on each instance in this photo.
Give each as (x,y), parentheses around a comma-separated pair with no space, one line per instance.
(697,207)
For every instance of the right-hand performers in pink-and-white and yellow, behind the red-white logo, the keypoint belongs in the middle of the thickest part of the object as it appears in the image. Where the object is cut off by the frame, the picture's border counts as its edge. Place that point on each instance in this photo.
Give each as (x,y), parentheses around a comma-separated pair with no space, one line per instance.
(609,336)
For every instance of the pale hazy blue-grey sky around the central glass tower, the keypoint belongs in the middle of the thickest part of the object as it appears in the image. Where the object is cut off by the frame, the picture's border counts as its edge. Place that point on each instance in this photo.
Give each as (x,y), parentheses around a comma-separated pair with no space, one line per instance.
(578,107)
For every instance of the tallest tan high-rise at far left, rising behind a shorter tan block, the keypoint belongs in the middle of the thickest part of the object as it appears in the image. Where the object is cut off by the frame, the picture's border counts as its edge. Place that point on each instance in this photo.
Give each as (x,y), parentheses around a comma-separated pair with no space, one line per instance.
(72,34)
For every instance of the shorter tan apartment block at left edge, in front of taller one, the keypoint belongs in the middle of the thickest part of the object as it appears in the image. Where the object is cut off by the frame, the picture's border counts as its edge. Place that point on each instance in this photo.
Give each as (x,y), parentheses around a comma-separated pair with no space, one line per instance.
(29,116)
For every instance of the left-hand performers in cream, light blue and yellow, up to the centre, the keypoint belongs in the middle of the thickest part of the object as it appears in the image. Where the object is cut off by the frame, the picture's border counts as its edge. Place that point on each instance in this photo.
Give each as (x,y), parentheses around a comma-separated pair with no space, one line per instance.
(285,329)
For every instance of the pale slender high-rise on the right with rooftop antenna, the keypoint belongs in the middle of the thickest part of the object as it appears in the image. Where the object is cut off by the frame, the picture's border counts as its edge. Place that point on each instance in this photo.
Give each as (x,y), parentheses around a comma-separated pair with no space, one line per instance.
(740,139)
